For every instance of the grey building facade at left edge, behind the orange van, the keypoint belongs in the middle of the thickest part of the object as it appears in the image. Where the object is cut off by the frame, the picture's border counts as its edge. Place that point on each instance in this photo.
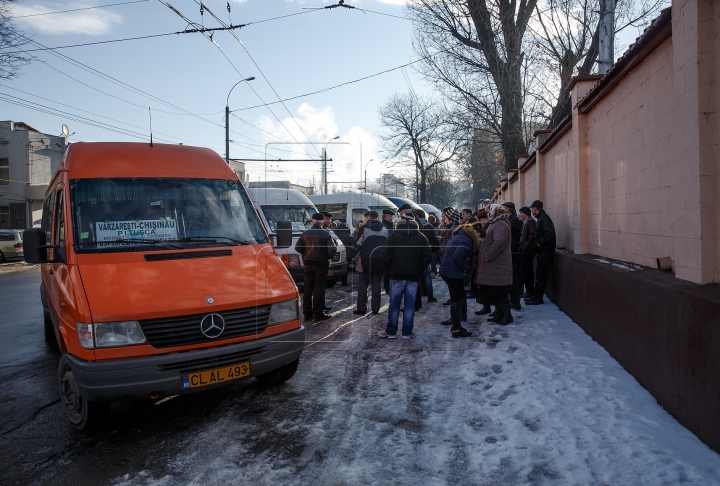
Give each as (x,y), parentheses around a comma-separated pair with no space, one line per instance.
(28,159)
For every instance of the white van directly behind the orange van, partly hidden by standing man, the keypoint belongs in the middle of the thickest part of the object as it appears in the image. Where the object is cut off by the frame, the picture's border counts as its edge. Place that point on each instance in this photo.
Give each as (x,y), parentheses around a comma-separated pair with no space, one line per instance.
(275,205)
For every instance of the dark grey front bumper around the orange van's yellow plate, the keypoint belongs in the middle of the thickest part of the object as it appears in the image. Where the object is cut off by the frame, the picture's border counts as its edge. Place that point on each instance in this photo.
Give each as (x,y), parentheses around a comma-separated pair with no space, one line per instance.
(140,377)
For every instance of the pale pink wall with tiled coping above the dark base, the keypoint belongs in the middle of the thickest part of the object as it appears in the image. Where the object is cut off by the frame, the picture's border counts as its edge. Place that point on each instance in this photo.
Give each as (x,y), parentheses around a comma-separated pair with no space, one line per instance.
(636,177)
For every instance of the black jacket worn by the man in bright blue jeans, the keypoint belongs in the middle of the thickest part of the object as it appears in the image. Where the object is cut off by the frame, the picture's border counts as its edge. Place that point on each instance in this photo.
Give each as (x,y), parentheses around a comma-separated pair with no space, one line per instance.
(407,252)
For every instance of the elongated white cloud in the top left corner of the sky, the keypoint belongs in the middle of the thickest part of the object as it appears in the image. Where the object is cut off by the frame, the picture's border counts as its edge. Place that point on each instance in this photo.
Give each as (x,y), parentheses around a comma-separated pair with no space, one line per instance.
(89,22)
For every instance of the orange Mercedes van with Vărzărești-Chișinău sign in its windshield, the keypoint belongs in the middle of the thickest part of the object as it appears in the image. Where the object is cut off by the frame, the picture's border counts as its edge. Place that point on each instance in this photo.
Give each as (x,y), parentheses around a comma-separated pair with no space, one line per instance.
(158,278)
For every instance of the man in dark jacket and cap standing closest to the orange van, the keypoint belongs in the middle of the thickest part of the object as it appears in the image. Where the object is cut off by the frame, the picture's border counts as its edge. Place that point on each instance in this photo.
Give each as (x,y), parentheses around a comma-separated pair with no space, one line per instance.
(317,248)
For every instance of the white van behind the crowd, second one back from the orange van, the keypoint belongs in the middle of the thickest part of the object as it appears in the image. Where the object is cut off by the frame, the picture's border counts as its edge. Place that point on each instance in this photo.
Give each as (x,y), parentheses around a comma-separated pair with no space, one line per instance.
(350,207)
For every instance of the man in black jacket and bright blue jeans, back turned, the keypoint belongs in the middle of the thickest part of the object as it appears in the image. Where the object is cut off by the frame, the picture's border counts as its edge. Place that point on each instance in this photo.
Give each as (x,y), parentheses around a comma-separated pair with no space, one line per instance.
(406,256)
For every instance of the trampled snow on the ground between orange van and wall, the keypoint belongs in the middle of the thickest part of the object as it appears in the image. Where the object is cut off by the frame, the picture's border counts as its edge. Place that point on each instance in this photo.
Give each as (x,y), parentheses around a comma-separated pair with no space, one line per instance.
(535,402)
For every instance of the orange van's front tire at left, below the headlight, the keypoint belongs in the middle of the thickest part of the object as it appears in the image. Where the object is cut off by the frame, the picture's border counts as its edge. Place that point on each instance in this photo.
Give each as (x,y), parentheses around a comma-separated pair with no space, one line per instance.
(81,413)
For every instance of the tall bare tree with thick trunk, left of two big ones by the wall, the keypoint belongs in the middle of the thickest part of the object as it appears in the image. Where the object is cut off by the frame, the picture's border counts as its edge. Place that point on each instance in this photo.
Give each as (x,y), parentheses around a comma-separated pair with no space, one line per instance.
(483,59)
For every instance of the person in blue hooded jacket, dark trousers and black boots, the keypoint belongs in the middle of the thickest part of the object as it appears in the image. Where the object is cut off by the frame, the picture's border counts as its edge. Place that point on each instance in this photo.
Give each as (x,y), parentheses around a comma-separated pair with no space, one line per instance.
(453,266)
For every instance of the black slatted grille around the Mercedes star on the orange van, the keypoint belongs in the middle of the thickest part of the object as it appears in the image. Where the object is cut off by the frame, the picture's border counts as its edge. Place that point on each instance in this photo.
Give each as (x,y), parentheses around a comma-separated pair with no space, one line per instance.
(167,332)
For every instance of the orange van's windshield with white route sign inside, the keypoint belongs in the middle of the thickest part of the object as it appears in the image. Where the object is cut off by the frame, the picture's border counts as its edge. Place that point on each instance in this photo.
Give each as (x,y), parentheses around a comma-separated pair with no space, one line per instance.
(123,214)
